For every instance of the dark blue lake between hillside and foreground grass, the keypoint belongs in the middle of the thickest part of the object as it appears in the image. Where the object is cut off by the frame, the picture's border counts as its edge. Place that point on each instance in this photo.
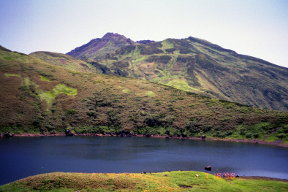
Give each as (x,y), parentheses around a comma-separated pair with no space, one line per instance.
(22,157)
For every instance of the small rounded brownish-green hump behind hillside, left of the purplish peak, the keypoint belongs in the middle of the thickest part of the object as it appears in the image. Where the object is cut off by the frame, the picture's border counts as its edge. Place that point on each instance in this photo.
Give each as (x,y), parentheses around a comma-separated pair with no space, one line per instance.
(65,61)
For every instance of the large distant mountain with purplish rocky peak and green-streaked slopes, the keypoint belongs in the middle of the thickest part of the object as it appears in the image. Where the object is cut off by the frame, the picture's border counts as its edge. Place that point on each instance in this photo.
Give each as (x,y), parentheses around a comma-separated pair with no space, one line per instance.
(193,65)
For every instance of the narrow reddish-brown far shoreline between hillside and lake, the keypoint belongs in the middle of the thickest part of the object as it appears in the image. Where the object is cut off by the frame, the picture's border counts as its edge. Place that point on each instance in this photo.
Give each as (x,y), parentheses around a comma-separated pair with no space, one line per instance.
(253,141)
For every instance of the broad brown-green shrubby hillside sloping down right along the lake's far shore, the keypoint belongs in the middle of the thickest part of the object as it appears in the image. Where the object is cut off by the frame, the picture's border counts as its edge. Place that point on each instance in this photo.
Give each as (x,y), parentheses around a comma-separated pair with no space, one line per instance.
(38,97)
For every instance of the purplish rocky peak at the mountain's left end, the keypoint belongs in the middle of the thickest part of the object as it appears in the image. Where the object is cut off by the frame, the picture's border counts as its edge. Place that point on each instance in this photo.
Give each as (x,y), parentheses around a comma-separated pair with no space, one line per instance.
(100,47)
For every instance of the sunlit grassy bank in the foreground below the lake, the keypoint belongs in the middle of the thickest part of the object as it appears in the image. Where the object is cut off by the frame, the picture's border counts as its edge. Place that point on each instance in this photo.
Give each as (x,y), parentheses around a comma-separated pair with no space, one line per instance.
(165,181)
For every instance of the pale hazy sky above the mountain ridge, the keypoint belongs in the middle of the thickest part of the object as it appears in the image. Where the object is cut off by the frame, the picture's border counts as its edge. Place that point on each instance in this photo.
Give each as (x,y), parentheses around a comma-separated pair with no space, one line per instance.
(257,28)
